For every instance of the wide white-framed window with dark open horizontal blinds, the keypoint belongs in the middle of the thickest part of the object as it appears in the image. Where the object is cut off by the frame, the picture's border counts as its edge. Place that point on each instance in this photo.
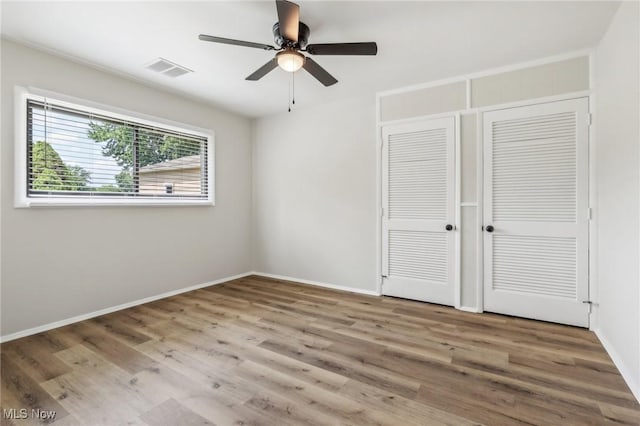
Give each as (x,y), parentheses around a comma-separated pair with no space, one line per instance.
(69,153)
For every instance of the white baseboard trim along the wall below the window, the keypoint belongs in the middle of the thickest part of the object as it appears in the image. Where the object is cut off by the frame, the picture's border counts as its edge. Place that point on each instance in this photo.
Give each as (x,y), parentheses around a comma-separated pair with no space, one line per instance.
(61,323)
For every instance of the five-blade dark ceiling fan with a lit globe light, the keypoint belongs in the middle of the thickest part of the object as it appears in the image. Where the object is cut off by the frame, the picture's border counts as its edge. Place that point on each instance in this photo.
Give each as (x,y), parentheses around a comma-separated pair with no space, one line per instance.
(291,37)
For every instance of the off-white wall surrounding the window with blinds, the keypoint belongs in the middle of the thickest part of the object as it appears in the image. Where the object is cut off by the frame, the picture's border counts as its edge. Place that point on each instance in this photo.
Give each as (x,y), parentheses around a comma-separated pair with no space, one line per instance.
(61,262)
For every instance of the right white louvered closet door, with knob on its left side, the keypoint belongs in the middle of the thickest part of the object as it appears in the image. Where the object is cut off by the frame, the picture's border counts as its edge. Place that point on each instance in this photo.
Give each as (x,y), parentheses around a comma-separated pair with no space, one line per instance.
(536,211)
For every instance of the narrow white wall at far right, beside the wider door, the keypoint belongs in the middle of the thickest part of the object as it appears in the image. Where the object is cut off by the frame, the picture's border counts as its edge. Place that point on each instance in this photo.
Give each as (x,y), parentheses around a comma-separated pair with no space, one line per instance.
(617,159)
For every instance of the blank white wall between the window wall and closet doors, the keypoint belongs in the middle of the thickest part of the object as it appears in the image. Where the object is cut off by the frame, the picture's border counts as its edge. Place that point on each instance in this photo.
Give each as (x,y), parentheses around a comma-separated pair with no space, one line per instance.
(314,180)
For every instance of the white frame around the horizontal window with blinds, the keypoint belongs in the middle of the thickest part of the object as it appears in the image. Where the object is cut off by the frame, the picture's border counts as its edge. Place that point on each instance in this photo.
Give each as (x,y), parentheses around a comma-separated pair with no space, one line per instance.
(21,197)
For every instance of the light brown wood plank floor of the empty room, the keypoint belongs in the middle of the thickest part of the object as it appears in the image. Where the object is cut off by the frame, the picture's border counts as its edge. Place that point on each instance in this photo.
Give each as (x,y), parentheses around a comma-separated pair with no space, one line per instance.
(261,351)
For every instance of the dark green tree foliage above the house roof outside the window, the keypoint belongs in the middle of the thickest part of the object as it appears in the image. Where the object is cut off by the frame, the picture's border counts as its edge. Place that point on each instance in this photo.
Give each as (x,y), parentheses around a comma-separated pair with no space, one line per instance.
(153,147)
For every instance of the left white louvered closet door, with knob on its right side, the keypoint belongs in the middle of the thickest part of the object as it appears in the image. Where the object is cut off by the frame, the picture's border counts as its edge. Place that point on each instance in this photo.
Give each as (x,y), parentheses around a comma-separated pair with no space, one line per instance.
(418,207)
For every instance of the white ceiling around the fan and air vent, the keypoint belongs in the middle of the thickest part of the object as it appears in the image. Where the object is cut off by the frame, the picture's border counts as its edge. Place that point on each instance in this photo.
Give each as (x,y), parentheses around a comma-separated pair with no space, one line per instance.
(417,42)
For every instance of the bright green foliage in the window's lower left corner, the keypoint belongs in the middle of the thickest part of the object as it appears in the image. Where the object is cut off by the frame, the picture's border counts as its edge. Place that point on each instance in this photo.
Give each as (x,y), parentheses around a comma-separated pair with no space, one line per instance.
(50,173)
